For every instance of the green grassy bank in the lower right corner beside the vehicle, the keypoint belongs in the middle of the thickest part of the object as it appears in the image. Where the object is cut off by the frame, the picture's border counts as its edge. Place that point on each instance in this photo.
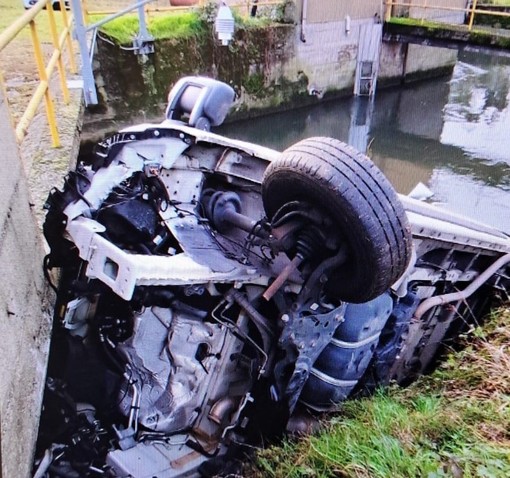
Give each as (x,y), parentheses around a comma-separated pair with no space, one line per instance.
(453,423)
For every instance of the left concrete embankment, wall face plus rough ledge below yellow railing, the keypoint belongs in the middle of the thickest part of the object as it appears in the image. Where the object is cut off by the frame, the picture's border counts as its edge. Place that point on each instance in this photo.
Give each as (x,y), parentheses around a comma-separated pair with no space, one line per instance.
(26,301)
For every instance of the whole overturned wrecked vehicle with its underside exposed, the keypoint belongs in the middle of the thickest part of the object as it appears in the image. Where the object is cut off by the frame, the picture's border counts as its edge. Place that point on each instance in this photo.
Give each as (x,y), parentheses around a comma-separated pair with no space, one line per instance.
(213,293)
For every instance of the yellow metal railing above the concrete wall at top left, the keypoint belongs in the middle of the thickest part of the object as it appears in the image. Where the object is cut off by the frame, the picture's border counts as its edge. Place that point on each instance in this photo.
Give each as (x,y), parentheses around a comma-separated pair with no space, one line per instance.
(45,72)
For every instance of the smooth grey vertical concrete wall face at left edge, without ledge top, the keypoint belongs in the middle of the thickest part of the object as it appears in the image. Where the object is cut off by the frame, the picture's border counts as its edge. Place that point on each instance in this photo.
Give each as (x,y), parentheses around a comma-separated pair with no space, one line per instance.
(24,313)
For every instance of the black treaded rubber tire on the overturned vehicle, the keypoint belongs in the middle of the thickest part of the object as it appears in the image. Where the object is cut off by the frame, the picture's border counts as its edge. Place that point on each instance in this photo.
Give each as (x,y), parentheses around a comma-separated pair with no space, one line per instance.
(364,206)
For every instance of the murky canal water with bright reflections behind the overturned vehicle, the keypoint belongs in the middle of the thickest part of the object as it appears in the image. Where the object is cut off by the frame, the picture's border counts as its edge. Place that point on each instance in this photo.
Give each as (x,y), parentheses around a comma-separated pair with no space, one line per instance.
(451,134)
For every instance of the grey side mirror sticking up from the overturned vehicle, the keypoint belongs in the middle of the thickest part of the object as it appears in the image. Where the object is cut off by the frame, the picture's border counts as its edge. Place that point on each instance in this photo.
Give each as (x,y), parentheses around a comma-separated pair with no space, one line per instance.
(204,101)
